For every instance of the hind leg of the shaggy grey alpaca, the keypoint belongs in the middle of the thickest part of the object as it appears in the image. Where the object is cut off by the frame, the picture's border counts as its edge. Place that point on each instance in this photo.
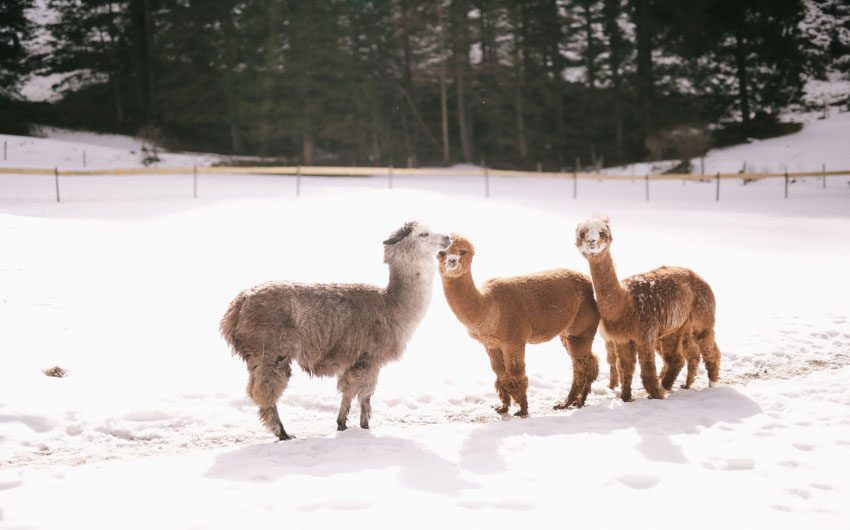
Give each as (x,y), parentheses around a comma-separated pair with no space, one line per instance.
(268,378)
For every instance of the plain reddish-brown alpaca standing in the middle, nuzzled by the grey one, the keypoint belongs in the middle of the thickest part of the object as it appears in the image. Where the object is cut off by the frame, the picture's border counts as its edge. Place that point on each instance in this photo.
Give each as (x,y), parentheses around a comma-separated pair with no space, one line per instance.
(508,313)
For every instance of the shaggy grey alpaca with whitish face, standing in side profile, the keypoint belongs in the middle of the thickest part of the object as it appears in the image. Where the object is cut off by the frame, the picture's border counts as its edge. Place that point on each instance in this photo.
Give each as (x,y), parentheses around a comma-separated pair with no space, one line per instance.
(345,330)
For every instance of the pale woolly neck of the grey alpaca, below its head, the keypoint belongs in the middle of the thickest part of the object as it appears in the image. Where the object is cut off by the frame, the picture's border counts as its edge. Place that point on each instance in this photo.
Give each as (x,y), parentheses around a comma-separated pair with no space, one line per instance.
(408,292)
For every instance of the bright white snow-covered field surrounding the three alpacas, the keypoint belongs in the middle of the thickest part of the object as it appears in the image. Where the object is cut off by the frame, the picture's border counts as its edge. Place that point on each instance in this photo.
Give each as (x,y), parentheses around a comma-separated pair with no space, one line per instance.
(123,285)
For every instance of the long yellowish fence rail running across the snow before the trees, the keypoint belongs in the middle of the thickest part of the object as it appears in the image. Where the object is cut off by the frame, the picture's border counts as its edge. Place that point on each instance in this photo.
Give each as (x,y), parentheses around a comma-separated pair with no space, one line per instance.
(346,171)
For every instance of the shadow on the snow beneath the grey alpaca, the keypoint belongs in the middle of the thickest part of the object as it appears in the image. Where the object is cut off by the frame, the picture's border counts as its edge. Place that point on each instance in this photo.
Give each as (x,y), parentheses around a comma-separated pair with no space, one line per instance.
(418,467)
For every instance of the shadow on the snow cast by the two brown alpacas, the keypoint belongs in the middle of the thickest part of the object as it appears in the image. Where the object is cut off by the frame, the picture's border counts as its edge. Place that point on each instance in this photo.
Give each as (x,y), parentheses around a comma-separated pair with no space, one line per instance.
(655,421)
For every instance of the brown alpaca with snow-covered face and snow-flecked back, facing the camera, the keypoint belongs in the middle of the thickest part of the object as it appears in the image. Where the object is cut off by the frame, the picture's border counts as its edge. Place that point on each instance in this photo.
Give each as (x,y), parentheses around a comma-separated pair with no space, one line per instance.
(670,309)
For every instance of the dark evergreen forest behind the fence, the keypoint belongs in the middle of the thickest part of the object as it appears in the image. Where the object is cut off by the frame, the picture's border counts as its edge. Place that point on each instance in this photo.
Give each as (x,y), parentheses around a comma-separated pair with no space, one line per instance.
(408,82)
